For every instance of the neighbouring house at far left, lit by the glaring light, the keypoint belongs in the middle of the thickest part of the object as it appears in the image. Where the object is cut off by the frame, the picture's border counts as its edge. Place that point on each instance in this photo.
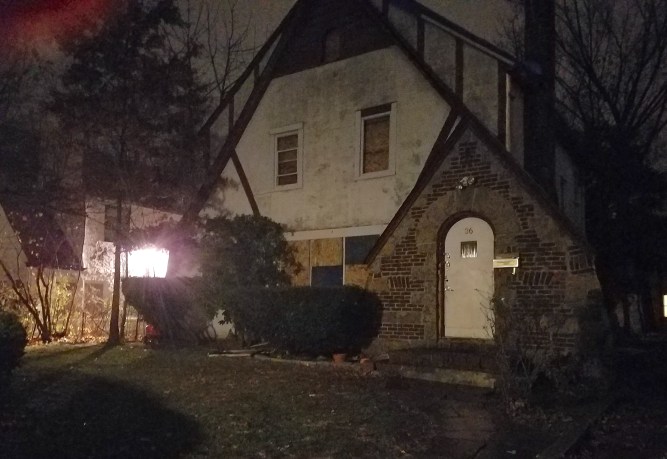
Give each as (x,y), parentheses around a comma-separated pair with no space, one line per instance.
(39,246)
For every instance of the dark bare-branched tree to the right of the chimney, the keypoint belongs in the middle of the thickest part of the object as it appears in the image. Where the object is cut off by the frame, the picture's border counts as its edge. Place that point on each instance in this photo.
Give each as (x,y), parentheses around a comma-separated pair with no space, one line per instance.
(611,88)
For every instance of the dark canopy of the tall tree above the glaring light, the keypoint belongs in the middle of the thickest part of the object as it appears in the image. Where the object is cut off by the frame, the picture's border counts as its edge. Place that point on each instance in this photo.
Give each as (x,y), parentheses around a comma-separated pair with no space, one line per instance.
(133,102)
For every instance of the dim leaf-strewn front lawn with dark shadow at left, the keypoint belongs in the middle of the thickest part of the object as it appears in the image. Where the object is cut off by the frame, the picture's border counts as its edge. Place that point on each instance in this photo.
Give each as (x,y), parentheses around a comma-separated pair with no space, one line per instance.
(129,401)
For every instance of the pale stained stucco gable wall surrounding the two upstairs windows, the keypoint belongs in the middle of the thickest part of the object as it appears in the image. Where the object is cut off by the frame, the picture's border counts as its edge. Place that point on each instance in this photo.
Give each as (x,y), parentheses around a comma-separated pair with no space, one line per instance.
(326,100)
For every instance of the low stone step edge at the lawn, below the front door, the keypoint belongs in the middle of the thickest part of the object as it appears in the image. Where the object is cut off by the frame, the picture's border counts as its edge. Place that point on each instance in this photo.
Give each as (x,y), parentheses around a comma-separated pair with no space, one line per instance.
(442,375)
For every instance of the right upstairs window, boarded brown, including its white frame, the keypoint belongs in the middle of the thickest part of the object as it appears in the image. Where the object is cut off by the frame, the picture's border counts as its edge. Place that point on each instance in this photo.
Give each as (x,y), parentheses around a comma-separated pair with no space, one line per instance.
(376,141)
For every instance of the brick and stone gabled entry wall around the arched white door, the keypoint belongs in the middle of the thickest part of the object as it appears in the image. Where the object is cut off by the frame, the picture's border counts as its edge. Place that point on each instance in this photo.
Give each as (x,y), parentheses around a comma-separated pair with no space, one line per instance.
(556,270)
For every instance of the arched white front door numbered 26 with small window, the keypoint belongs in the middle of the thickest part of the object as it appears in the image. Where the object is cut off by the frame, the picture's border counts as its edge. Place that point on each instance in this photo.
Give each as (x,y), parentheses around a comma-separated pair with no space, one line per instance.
(468,261)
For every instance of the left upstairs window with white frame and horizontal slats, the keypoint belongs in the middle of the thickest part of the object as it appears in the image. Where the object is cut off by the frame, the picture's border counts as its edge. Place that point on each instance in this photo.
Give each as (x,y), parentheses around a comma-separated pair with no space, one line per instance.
(288,145)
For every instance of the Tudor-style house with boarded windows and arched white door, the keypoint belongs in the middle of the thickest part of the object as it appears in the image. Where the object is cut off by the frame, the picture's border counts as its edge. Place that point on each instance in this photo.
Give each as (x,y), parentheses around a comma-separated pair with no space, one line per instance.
(391,144)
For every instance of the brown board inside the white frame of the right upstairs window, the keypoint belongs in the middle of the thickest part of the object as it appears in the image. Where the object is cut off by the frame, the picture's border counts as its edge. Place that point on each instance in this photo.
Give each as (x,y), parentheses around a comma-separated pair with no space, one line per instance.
(375,143)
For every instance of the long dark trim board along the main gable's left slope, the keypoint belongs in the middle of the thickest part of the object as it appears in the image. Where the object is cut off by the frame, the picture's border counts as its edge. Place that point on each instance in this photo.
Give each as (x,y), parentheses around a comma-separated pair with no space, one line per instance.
(287,28)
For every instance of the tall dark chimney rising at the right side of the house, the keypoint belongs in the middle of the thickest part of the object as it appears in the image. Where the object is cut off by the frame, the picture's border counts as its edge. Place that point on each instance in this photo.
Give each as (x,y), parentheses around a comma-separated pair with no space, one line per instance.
(539,92)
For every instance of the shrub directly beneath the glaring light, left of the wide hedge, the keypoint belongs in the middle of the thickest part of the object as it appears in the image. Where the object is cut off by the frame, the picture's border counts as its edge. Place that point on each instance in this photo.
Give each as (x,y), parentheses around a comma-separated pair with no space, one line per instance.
(171,304)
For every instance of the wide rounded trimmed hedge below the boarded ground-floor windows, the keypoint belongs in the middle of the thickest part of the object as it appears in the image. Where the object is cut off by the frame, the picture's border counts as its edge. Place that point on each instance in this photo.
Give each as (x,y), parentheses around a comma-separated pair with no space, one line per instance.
(306,320)
